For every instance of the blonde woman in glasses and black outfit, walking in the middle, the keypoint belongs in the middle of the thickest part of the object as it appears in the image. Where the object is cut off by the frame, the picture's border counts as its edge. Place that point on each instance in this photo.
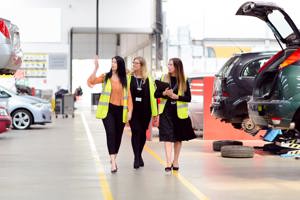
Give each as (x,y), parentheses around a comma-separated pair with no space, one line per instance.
(144,106)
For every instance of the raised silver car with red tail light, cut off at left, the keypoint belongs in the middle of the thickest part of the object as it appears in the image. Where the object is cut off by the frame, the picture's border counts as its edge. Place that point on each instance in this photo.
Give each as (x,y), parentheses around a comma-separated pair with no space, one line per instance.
(10,51)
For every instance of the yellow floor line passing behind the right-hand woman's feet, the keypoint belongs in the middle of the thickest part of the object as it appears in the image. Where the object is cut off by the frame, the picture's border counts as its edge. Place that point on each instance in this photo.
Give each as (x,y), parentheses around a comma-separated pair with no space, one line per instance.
(183,180)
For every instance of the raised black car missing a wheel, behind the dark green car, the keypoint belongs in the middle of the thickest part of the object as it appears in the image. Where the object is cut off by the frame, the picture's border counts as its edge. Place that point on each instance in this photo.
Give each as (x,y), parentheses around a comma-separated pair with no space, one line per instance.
(233,86)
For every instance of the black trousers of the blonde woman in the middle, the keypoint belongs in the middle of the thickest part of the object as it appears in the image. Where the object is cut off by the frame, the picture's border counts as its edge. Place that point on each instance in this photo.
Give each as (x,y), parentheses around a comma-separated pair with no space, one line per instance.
(138,138)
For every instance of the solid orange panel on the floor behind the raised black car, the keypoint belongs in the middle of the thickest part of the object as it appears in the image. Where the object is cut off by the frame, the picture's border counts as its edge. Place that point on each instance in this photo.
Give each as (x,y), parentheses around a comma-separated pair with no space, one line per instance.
(214,129)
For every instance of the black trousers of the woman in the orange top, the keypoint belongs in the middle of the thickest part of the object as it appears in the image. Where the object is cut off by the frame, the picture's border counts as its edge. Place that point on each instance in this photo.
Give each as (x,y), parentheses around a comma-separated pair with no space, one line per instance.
(114,127)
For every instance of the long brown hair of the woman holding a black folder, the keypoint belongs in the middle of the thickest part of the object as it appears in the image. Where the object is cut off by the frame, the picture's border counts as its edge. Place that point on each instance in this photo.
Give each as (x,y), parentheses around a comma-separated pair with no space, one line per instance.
(181,82)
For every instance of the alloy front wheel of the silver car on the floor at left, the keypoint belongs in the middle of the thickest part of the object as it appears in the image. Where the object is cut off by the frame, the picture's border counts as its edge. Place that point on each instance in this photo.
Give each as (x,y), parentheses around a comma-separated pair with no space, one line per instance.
(21,119)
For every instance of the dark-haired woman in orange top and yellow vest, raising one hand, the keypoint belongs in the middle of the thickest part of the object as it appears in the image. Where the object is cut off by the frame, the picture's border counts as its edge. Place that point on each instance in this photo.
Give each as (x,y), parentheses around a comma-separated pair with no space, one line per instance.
(115,104)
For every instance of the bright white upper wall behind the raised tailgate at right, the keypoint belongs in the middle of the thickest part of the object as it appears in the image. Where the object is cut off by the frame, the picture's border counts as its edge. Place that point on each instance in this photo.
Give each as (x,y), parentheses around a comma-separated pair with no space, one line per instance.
(217,19)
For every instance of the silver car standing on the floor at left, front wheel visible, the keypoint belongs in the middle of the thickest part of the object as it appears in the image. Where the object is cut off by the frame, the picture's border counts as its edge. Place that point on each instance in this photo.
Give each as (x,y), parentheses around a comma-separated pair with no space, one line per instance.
(25,110)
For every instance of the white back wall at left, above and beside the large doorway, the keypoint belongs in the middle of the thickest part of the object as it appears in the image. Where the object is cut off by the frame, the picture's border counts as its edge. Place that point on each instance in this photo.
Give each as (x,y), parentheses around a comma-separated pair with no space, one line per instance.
(45,25)
